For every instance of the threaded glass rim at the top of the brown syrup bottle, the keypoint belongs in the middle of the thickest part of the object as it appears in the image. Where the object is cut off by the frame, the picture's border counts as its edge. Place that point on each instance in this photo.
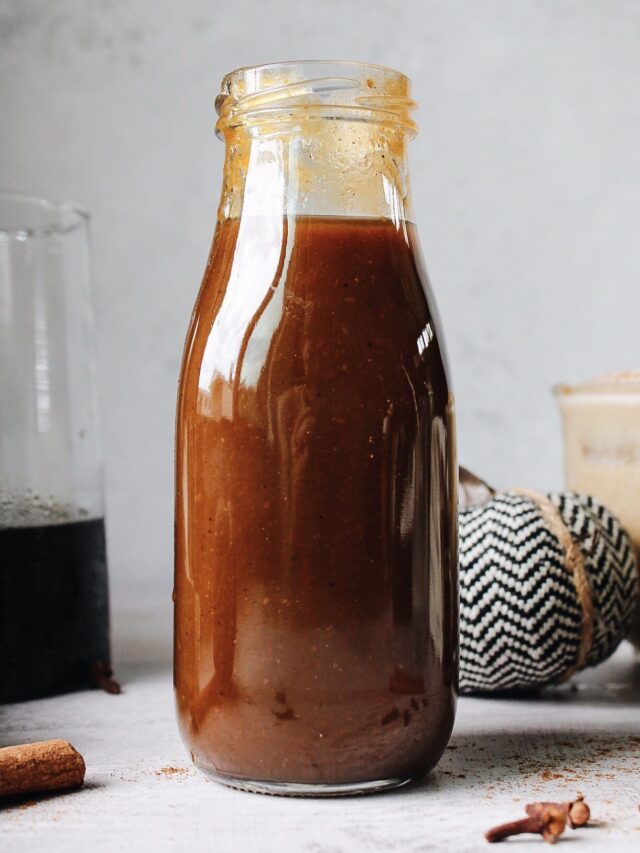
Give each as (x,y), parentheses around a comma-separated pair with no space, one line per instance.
(288,92)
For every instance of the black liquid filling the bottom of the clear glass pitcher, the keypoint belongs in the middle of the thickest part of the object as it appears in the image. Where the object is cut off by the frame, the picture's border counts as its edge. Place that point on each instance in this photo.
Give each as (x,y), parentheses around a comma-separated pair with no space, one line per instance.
(54,614)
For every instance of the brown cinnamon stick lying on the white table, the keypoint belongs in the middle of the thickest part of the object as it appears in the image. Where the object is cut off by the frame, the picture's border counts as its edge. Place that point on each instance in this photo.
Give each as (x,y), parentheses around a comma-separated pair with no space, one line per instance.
(50,765)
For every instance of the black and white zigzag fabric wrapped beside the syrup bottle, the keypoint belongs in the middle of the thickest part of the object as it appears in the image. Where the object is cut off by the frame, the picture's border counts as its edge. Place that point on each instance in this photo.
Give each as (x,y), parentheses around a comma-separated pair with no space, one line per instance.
(521,621)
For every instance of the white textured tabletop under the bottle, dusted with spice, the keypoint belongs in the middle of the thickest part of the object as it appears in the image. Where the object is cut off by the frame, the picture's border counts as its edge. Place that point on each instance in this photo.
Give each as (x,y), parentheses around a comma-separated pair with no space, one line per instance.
(141,792)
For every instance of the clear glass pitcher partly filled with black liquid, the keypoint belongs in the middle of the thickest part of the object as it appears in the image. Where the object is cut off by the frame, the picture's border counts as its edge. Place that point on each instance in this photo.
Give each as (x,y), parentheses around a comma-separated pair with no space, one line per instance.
(54,616)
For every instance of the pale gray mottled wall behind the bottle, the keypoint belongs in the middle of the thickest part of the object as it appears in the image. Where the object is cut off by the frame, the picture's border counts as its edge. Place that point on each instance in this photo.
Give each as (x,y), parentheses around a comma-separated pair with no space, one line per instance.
(525,181)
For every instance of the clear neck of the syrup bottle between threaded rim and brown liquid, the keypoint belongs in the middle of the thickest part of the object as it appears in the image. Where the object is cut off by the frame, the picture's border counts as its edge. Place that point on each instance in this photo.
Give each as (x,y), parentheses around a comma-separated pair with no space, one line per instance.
(318,168)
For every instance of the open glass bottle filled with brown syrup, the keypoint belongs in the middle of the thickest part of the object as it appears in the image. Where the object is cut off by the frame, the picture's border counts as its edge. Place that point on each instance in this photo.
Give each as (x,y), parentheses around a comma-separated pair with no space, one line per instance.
(316,553)
